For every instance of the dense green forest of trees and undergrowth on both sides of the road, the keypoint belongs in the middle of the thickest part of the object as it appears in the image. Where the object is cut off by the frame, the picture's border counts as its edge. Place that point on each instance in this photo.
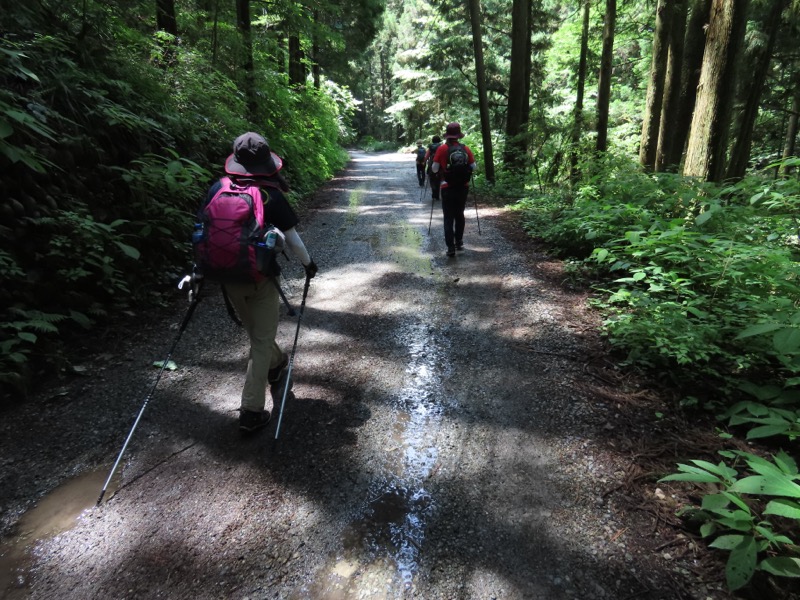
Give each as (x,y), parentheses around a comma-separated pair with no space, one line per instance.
(651,145)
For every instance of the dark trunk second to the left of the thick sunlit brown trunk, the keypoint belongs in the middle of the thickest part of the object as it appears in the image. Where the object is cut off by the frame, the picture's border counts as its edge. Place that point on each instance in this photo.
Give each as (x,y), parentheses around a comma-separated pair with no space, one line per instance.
(672,88)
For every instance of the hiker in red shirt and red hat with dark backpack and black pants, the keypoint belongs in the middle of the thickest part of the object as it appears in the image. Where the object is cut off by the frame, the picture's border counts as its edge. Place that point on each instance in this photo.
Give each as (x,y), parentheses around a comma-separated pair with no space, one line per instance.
(455,163)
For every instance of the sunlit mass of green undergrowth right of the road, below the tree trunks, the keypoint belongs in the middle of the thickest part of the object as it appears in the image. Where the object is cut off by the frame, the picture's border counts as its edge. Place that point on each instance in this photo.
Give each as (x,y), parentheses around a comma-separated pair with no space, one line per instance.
(683,269)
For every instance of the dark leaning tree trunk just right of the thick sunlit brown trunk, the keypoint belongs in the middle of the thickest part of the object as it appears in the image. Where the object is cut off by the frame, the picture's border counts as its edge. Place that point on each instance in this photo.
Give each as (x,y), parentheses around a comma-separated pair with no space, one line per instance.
(740,155)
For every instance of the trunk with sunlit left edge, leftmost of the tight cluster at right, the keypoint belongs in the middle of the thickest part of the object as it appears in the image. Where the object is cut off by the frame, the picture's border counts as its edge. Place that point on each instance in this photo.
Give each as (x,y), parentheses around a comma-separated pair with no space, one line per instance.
(655,86)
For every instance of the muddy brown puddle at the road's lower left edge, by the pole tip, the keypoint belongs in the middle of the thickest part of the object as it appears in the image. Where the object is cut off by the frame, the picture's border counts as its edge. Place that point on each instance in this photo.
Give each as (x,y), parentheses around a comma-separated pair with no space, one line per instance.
(56,513)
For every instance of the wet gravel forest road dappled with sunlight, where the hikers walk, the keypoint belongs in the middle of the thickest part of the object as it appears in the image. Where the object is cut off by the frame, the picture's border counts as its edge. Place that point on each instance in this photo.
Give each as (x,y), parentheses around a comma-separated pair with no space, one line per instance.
(441,444)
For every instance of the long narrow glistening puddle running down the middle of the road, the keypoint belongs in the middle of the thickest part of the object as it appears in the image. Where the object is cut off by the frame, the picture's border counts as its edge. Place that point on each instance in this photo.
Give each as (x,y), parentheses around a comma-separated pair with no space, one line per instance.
(381,548)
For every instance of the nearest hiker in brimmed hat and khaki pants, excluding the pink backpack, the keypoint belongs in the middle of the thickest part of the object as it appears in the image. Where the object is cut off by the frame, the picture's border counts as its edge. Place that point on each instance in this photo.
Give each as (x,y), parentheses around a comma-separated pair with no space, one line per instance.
(258,303)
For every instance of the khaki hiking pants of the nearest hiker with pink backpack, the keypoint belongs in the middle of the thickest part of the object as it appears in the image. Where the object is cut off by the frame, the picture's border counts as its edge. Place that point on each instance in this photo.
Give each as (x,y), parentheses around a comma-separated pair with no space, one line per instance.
(258,307)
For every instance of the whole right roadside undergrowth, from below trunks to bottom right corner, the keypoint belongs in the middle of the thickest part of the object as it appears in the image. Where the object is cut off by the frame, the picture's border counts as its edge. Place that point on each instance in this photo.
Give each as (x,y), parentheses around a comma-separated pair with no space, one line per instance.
(697,287)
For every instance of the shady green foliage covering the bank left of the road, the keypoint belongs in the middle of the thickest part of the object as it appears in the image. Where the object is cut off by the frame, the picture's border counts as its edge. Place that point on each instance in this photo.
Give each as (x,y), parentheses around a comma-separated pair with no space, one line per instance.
(111,132)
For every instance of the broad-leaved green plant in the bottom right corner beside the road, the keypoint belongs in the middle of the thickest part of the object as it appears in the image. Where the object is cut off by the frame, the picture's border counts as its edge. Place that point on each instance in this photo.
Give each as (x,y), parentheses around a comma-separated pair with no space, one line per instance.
(757,534)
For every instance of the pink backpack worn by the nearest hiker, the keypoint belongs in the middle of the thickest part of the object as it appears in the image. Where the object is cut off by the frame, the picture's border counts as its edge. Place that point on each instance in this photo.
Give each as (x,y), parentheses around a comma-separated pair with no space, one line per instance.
(228,239)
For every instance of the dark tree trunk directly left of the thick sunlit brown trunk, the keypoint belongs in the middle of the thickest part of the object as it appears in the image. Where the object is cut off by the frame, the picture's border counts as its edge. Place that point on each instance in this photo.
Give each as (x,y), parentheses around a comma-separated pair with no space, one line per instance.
(693,47)
